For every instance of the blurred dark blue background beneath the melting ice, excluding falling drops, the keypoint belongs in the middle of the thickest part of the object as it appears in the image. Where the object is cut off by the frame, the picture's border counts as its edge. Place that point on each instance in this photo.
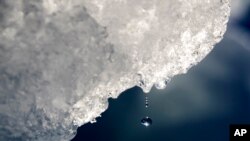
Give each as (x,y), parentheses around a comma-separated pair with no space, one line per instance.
(197,106)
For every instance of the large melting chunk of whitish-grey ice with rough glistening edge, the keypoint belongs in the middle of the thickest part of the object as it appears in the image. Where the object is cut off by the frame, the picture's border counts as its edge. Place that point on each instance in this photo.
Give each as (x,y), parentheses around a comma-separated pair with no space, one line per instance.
(61,60)
